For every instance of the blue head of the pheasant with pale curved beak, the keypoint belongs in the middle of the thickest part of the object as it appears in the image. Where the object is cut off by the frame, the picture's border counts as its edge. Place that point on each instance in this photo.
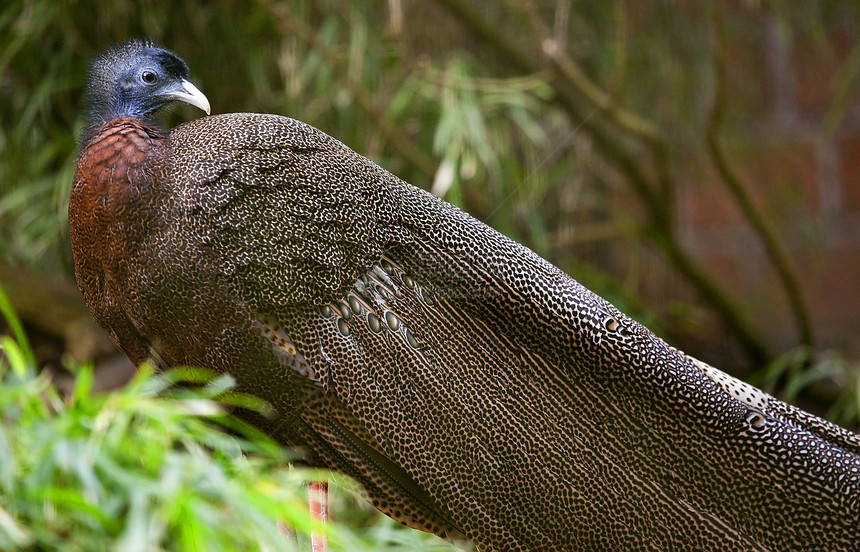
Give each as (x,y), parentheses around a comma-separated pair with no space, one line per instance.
(137,79)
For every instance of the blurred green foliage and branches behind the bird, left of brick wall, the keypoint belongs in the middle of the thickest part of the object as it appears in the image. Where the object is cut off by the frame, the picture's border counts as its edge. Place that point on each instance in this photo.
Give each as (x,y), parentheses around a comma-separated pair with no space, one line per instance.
(584,172)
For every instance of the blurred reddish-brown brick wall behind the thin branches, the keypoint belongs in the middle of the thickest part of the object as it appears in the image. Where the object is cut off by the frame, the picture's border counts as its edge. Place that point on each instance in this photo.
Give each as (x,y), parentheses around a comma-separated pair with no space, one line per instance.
(785,85)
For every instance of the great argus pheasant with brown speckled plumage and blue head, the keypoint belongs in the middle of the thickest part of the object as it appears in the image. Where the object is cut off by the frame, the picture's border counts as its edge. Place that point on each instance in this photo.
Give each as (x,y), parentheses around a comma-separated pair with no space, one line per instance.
(471,387)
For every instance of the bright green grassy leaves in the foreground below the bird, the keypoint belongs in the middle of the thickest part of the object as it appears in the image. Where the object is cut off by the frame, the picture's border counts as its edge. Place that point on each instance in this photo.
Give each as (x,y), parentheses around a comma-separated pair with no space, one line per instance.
(150,468)
